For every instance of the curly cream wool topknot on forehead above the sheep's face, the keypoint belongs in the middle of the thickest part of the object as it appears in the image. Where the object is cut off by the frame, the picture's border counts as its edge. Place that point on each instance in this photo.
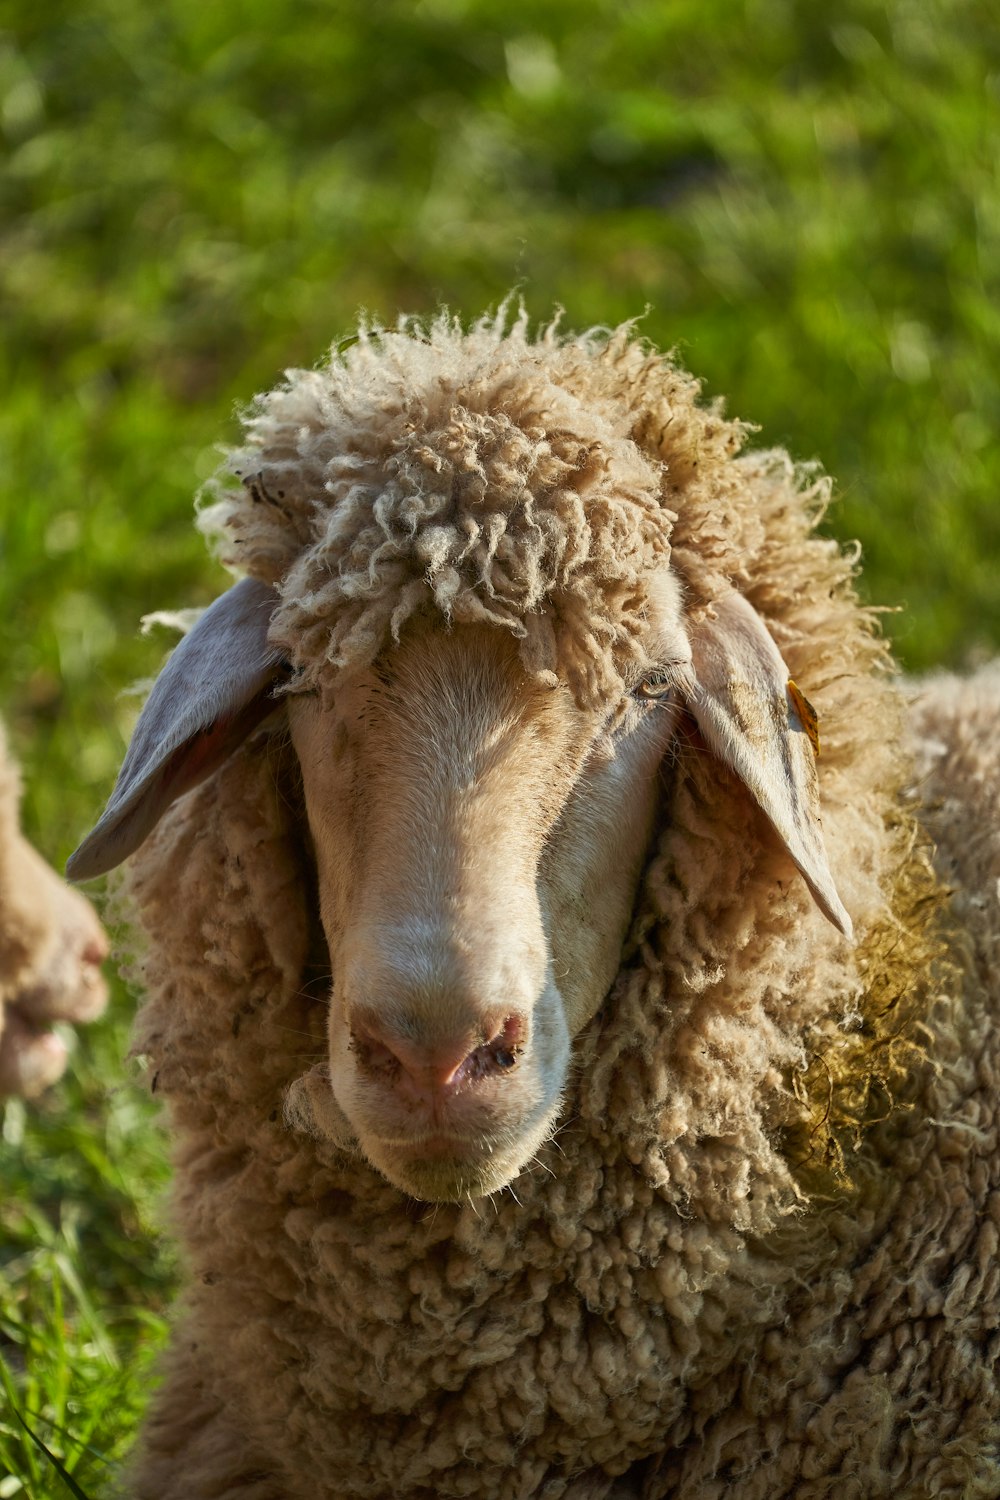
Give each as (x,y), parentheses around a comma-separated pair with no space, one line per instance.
(494,478)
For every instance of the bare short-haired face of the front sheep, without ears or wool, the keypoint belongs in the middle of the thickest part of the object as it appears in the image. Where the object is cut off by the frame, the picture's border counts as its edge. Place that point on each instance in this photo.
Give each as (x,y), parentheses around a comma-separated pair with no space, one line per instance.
(479,841)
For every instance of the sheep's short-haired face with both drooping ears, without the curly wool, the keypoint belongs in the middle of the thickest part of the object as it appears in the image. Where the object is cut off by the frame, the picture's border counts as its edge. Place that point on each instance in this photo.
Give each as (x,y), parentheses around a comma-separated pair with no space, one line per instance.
(479,838)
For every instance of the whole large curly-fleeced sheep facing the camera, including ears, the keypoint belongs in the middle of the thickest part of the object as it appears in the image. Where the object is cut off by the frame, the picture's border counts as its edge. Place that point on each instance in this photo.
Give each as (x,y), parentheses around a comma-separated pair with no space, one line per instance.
(560,1106)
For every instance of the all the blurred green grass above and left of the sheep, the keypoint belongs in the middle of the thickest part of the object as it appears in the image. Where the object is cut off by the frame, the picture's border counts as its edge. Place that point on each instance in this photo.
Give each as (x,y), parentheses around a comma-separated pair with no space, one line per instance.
(194,197)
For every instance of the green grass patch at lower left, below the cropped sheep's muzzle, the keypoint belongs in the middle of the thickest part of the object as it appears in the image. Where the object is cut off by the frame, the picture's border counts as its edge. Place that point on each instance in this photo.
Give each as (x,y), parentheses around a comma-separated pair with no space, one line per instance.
(85,1282)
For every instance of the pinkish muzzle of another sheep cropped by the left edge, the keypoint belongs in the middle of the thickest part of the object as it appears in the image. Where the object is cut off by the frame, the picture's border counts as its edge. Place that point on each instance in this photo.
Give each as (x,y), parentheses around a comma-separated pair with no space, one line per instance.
(52,949)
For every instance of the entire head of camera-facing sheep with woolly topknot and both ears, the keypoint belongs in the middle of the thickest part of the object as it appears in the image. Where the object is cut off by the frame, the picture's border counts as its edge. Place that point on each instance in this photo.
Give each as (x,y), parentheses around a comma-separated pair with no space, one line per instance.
(491,584)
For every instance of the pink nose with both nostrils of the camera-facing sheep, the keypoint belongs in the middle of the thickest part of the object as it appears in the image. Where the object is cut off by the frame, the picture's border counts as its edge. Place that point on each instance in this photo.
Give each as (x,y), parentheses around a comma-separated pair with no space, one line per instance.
(443,1066)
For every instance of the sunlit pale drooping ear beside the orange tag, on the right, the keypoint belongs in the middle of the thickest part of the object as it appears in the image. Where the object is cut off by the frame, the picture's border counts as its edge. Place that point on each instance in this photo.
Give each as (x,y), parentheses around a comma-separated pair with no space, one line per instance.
(755,719)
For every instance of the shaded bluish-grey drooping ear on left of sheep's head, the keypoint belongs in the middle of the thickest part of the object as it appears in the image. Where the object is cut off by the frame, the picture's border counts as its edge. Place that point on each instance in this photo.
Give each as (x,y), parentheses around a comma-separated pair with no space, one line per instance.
(215,689)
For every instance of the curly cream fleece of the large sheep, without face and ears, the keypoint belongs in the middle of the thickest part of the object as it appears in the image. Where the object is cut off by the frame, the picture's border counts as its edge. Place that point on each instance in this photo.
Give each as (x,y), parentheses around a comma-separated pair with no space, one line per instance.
(680,1292)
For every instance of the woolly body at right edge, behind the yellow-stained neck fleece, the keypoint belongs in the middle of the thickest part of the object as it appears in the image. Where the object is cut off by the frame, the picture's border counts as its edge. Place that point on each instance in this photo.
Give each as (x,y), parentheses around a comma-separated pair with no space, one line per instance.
(885,1373)
